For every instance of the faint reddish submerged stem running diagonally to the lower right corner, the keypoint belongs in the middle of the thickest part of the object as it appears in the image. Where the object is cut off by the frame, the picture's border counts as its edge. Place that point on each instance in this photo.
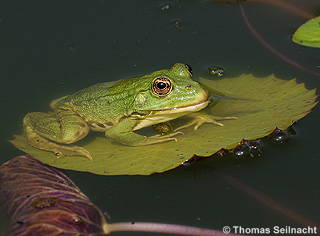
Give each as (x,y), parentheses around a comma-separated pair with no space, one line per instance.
(267,201)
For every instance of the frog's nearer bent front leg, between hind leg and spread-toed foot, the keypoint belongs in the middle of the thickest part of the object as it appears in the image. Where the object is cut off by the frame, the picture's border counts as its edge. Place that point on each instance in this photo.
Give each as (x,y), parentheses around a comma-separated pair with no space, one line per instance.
(123,133)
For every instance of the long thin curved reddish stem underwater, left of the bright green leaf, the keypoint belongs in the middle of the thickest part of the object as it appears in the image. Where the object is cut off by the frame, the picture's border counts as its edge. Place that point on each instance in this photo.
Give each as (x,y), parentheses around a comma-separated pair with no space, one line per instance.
(268,46)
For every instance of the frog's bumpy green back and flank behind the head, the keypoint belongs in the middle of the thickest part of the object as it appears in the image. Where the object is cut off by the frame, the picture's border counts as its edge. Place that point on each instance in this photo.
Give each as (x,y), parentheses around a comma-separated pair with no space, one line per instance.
(101,102)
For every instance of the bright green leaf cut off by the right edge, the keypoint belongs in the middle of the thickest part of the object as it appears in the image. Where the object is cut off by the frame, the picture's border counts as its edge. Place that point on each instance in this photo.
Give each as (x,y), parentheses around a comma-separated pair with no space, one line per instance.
(308,34)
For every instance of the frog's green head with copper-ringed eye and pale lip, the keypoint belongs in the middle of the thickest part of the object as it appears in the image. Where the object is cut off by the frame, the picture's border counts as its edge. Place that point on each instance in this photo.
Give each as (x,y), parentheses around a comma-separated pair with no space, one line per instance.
(170,91)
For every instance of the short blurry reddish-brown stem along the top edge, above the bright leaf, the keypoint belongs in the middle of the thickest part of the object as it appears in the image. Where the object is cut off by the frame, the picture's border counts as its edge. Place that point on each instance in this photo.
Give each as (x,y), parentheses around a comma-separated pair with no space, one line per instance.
(288,7)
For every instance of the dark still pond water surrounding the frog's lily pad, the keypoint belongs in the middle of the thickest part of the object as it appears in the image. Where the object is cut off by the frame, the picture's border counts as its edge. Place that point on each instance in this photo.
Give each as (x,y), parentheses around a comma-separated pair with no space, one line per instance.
(52,48)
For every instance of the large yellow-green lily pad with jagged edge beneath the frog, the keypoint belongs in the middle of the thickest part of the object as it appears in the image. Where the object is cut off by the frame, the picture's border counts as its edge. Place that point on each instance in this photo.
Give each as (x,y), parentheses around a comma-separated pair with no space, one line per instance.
(261,105)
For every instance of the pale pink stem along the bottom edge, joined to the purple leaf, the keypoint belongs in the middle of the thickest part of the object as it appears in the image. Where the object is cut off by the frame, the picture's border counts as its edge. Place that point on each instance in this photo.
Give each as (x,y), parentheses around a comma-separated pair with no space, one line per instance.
(165,228)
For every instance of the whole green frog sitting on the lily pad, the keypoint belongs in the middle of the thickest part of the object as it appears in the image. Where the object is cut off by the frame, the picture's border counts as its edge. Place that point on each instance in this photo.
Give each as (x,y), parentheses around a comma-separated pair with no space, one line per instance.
(118,109)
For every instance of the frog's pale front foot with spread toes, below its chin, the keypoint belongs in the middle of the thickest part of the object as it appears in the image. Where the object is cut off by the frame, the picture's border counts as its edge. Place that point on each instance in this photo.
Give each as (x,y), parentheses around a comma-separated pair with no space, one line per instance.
(199,119)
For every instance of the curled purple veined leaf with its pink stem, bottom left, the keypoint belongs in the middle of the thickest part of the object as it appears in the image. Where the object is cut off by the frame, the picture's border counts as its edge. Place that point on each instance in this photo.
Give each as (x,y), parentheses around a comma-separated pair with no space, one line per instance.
(41,200)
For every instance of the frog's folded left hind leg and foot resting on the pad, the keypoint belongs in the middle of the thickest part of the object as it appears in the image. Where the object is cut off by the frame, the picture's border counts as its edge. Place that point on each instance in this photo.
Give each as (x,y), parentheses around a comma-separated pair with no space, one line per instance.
(49,131)
